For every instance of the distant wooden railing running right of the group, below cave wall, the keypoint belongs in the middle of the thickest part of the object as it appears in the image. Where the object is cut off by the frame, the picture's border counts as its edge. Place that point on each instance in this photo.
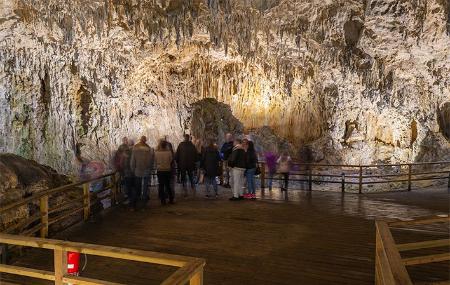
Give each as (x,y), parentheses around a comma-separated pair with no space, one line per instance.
(361,175)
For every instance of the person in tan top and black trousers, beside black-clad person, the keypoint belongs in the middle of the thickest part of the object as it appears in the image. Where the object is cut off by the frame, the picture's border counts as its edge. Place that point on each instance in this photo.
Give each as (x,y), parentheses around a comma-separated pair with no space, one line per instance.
(163,161)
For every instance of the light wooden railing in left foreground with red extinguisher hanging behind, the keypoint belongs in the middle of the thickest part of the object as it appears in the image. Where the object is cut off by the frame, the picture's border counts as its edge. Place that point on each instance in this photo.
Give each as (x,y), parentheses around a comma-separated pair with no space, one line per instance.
(190,269)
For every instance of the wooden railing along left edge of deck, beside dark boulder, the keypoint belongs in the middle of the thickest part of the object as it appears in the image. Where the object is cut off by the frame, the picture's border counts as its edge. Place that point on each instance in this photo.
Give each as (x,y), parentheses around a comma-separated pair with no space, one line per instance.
(46,216)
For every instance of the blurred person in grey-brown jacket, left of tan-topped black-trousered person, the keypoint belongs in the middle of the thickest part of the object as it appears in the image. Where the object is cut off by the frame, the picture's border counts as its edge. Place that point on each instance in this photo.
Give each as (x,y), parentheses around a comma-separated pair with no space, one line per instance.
(142,161)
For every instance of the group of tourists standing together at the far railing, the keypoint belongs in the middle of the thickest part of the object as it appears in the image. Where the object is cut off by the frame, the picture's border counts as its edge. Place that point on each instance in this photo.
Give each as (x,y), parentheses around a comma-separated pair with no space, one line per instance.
(236,162)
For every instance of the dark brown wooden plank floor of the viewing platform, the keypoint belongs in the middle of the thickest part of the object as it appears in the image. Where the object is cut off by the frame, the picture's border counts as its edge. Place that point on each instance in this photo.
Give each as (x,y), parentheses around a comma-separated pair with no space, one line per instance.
(308,238)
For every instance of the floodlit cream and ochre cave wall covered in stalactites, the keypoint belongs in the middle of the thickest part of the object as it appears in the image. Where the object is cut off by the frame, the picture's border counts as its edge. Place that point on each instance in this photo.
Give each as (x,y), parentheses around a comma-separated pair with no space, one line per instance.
(91,72)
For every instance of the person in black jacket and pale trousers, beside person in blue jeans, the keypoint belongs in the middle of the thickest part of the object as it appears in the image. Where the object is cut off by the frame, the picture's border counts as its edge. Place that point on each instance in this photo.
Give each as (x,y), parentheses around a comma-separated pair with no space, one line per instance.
(238,164)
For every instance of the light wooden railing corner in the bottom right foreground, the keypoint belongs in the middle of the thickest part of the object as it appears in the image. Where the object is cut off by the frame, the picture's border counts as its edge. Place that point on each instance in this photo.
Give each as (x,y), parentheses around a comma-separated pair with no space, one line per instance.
(390,267)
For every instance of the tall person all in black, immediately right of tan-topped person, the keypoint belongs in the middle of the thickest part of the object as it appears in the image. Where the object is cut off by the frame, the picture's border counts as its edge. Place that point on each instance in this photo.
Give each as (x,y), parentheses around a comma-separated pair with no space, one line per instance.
(186,157)
